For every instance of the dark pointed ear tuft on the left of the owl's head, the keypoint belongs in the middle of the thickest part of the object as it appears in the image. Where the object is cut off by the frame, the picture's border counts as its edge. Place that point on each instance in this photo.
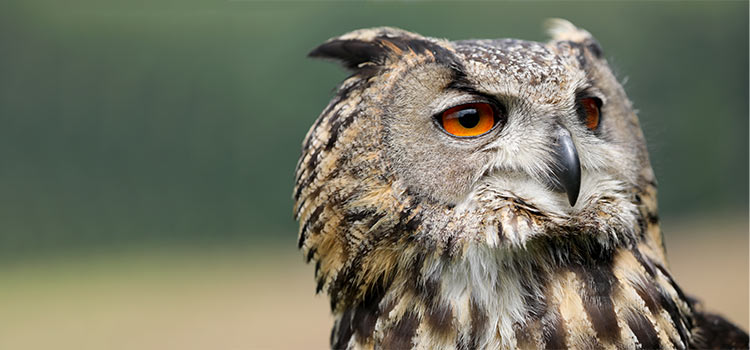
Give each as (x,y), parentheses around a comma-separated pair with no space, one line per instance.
(363,46)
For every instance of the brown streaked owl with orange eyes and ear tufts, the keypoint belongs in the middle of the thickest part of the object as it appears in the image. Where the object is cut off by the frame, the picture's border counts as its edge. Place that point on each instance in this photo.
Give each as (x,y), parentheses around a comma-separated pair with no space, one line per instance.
(488,194)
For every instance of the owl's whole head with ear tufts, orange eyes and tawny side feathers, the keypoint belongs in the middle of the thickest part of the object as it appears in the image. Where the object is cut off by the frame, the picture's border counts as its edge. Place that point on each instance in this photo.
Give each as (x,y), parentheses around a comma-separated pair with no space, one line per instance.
(432,147)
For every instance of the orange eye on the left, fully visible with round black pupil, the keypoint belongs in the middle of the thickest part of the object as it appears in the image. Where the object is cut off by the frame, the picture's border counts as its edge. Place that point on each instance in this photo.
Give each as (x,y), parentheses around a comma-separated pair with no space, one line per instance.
(471,119)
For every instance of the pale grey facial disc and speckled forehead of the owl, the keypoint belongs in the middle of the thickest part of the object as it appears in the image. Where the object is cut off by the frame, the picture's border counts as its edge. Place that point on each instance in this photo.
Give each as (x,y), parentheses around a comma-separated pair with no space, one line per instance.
(529,93)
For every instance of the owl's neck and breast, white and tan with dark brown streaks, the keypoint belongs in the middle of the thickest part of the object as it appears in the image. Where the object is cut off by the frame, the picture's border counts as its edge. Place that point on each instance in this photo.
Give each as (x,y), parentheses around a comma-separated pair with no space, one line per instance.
(557,293)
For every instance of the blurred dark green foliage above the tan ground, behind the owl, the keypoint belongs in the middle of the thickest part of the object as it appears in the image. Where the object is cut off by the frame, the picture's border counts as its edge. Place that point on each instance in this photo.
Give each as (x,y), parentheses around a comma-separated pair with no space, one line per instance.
(166,122)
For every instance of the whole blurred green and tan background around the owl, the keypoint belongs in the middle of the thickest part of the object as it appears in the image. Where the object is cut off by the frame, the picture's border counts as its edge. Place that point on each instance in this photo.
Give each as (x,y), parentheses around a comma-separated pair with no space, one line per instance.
(148,150)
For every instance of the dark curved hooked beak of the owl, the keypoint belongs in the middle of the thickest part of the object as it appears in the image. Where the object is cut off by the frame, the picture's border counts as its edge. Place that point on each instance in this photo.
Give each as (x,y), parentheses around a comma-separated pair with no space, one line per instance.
(567,171)
